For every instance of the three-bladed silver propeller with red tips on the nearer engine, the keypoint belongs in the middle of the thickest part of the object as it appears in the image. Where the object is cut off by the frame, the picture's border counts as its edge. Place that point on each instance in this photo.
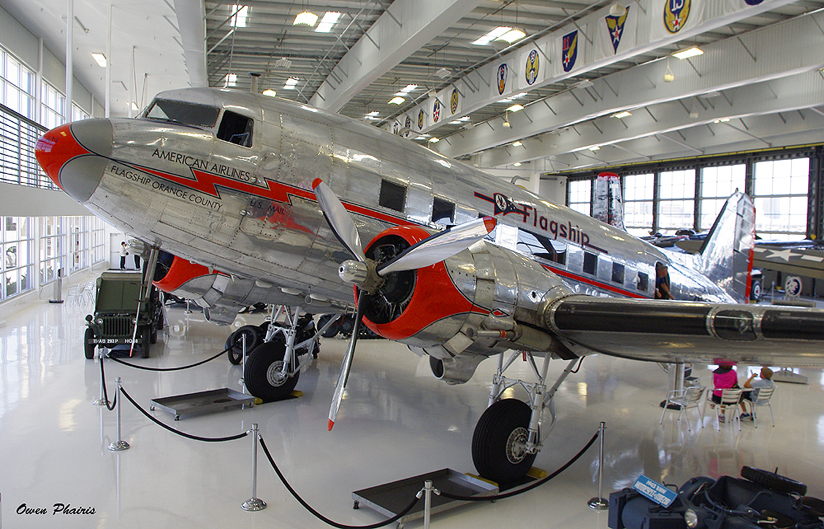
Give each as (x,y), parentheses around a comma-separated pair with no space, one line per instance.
(368,275)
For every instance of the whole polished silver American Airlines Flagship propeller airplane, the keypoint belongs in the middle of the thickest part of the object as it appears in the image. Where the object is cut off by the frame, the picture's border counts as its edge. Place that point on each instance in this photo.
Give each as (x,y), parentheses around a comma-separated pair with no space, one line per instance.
(258,199)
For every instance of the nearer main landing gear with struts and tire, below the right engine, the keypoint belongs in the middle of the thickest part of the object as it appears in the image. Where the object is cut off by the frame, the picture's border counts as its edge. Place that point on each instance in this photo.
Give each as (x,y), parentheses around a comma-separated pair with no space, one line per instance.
(508,435)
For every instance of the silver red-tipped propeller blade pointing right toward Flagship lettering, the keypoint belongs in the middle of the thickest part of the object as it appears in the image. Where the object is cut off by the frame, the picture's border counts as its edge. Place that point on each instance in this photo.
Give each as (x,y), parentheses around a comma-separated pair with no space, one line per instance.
(440,246)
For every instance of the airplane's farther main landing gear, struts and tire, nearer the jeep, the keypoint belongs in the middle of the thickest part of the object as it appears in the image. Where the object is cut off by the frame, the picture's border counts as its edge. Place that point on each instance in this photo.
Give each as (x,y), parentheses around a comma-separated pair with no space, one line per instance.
(273,368)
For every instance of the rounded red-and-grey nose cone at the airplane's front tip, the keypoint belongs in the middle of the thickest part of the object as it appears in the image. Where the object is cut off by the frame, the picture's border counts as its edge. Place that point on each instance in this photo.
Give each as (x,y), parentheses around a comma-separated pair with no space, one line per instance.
(74,155)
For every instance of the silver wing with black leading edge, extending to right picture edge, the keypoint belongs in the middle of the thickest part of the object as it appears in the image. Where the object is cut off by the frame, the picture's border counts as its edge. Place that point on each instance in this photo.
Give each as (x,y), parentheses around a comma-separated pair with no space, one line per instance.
(676,331)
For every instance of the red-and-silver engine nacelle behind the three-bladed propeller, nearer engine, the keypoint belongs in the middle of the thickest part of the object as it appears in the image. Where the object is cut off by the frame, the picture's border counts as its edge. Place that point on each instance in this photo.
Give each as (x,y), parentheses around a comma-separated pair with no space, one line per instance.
(481,301)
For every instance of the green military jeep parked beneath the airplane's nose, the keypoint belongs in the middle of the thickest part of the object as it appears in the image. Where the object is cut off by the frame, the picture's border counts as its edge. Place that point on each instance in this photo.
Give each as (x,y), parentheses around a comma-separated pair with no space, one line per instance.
(117,306)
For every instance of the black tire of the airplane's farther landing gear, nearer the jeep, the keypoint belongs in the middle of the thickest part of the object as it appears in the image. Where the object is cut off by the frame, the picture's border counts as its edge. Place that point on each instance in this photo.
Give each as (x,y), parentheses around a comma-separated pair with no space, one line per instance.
(262,375)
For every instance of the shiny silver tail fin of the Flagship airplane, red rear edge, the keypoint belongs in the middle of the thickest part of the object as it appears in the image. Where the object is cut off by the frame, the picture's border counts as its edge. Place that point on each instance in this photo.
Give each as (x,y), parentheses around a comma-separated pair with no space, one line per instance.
(727,253)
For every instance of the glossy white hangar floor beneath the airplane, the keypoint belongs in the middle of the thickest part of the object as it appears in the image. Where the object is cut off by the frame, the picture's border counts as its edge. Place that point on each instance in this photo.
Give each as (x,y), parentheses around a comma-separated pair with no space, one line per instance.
(396,421)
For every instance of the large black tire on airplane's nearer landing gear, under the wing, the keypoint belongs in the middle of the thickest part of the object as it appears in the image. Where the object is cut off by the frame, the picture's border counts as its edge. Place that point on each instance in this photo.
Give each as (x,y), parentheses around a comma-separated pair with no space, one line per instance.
(501,426)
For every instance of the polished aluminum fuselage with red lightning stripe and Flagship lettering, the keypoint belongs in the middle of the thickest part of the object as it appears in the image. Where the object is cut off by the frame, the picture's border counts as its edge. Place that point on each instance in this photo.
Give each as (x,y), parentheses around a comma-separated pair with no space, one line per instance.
(253,214)
